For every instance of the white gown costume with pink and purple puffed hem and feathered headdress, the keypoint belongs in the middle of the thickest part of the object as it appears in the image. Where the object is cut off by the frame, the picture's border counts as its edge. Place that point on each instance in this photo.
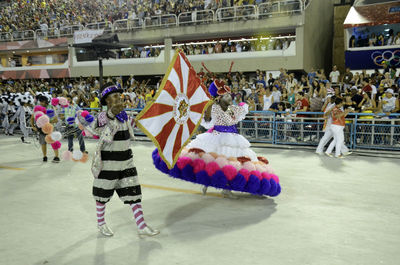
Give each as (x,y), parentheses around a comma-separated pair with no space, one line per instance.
(221,157)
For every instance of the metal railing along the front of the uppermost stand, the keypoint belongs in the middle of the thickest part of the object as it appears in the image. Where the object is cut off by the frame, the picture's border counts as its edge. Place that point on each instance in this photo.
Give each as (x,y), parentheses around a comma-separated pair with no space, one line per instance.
(245,12)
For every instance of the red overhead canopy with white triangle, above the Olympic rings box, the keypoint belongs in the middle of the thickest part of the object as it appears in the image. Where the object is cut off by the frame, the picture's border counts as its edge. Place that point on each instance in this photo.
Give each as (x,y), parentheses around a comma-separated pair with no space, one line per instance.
(372,15)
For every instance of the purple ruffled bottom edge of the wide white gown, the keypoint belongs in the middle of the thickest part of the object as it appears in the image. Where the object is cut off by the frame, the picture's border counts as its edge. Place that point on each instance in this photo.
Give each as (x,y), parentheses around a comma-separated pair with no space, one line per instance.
(218,180)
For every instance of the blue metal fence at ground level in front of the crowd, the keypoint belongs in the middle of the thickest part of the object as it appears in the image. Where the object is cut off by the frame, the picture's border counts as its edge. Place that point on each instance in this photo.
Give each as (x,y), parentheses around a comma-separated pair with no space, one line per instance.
(362,131)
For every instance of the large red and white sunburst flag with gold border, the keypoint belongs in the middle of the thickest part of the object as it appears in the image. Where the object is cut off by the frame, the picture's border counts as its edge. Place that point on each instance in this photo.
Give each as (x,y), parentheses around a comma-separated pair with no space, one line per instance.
(176,112)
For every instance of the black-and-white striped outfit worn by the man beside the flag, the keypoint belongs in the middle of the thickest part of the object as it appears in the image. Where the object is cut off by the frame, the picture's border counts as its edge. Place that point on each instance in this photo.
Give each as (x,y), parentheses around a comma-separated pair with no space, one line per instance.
(118,171)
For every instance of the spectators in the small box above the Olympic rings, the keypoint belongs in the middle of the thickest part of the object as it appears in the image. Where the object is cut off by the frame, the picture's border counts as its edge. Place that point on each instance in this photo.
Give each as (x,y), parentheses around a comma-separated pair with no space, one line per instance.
(375,40)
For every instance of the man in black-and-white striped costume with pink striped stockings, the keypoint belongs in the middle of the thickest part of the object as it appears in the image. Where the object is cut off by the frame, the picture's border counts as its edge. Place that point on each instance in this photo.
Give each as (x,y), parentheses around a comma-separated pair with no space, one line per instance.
(113,166)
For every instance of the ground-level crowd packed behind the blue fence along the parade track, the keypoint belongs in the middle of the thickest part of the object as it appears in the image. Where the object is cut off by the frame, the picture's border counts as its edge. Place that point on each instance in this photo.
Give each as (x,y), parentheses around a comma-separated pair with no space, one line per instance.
(368,93)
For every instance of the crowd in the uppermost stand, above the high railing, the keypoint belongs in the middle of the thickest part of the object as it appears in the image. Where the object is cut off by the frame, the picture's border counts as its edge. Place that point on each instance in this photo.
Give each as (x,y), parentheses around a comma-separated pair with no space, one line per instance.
(21,15)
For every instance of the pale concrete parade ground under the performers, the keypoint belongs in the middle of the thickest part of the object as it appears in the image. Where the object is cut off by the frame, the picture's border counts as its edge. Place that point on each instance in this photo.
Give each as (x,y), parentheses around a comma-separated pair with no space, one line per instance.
(330,211)
